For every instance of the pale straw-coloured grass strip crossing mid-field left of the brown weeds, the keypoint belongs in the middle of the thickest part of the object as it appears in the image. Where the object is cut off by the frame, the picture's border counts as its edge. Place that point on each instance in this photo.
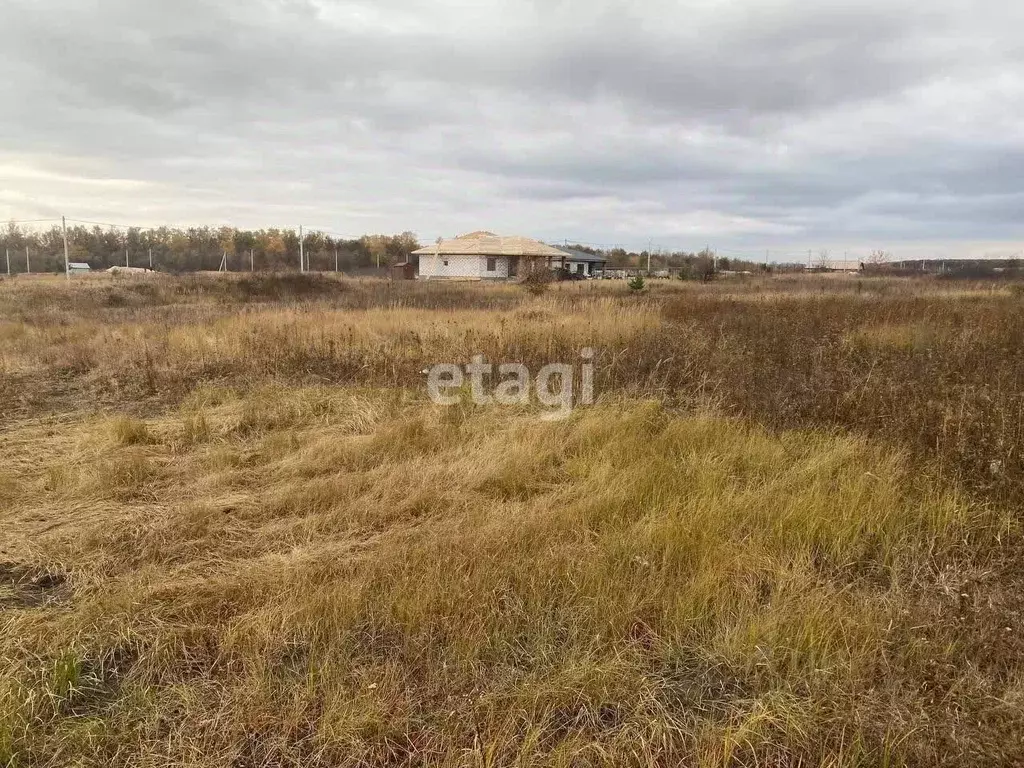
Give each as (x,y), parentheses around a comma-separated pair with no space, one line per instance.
(377,336)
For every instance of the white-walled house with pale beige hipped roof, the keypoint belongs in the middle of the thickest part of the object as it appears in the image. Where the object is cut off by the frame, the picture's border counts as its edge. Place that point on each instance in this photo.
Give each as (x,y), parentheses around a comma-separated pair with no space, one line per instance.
(486,257)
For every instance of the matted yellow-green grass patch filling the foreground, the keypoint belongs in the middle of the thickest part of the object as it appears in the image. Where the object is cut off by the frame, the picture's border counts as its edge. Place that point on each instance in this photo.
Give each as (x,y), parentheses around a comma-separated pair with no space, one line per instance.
(342,578)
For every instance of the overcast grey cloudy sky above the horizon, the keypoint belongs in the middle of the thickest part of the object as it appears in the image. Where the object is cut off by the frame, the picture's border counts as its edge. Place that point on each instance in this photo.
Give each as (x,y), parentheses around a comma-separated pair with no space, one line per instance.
(750,125)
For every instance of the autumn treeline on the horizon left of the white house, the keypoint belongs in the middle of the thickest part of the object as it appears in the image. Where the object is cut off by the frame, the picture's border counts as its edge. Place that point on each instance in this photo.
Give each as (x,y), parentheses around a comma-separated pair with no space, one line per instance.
(198,248)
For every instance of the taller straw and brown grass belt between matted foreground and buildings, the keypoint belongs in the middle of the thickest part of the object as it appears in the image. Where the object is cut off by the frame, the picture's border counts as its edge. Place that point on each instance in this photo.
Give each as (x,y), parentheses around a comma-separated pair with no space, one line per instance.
(934,366)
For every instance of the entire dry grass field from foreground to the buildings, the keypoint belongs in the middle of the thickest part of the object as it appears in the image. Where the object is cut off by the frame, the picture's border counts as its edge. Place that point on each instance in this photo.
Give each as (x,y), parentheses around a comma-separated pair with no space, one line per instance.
(235,532)
